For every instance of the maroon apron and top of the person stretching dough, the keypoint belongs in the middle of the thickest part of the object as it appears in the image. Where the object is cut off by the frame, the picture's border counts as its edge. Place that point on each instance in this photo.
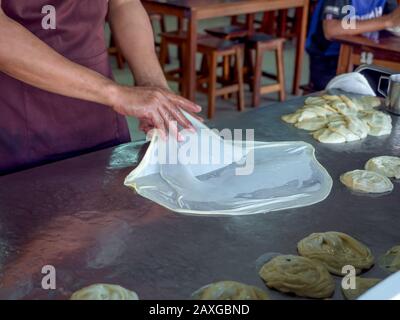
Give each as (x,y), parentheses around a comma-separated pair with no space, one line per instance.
(37,126)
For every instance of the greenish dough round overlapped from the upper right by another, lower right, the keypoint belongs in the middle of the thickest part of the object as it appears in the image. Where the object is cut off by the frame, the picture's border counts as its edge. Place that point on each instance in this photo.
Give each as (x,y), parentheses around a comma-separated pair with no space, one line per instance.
(298,275)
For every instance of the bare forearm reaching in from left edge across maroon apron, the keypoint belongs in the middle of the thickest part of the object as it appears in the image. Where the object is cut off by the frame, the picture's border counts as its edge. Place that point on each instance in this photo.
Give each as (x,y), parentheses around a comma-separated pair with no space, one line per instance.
(25,57)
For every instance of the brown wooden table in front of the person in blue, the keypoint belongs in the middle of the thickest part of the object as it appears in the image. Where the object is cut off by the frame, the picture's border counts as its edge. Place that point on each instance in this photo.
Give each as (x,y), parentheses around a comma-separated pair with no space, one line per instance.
(356,50)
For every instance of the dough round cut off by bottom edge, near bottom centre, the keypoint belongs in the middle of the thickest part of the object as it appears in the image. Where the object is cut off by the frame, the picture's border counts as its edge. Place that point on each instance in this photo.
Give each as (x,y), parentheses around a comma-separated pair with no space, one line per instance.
(229,290)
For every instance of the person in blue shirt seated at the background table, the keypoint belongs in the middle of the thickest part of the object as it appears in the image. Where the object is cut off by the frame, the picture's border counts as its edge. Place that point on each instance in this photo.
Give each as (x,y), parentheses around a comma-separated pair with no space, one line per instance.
(334,18)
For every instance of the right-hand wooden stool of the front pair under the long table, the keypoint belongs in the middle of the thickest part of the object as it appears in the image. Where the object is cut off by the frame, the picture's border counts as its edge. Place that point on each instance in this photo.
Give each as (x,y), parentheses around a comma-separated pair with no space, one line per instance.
(261,43)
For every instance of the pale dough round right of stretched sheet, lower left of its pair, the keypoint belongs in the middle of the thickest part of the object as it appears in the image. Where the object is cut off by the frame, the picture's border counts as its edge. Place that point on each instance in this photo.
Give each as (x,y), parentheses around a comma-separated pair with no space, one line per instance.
(366,181)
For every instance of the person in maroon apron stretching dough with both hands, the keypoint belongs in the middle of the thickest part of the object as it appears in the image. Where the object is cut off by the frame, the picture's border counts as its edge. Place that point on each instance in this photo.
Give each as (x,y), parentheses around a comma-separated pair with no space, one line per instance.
(58,98)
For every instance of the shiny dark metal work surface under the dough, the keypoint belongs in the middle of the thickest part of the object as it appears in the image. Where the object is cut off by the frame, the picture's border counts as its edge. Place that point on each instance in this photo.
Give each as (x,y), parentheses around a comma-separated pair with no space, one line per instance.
(79,217)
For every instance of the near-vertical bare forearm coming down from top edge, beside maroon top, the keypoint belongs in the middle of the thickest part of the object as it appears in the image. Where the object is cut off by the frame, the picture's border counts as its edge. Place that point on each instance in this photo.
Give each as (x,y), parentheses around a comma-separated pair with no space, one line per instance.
(133,31)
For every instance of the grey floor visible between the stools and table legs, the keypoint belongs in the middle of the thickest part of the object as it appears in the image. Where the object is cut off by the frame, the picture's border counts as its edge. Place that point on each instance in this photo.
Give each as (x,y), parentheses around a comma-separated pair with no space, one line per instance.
(224,107)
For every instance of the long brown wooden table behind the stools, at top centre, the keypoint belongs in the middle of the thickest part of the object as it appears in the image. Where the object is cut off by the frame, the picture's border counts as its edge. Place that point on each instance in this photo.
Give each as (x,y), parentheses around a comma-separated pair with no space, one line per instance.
(196,10)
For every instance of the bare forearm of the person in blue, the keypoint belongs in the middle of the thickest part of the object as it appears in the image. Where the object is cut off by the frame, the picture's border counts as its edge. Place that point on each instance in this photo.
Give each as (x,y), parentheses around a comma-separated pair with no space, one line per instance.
(334,28)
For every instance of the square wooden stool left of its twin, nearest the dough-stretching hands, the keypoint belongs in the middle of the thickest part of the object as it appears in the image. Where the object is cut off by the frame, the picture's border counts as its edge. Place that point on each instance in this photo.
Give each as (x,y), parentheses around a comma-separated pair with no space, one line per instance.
(212,49)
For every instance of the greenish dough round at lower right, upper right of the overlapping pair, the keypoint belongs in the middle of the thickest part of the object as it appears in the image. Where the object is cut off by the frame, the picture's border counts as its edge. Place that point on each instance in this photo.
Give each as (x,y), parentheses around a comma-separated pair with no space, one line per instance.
(336,250)
